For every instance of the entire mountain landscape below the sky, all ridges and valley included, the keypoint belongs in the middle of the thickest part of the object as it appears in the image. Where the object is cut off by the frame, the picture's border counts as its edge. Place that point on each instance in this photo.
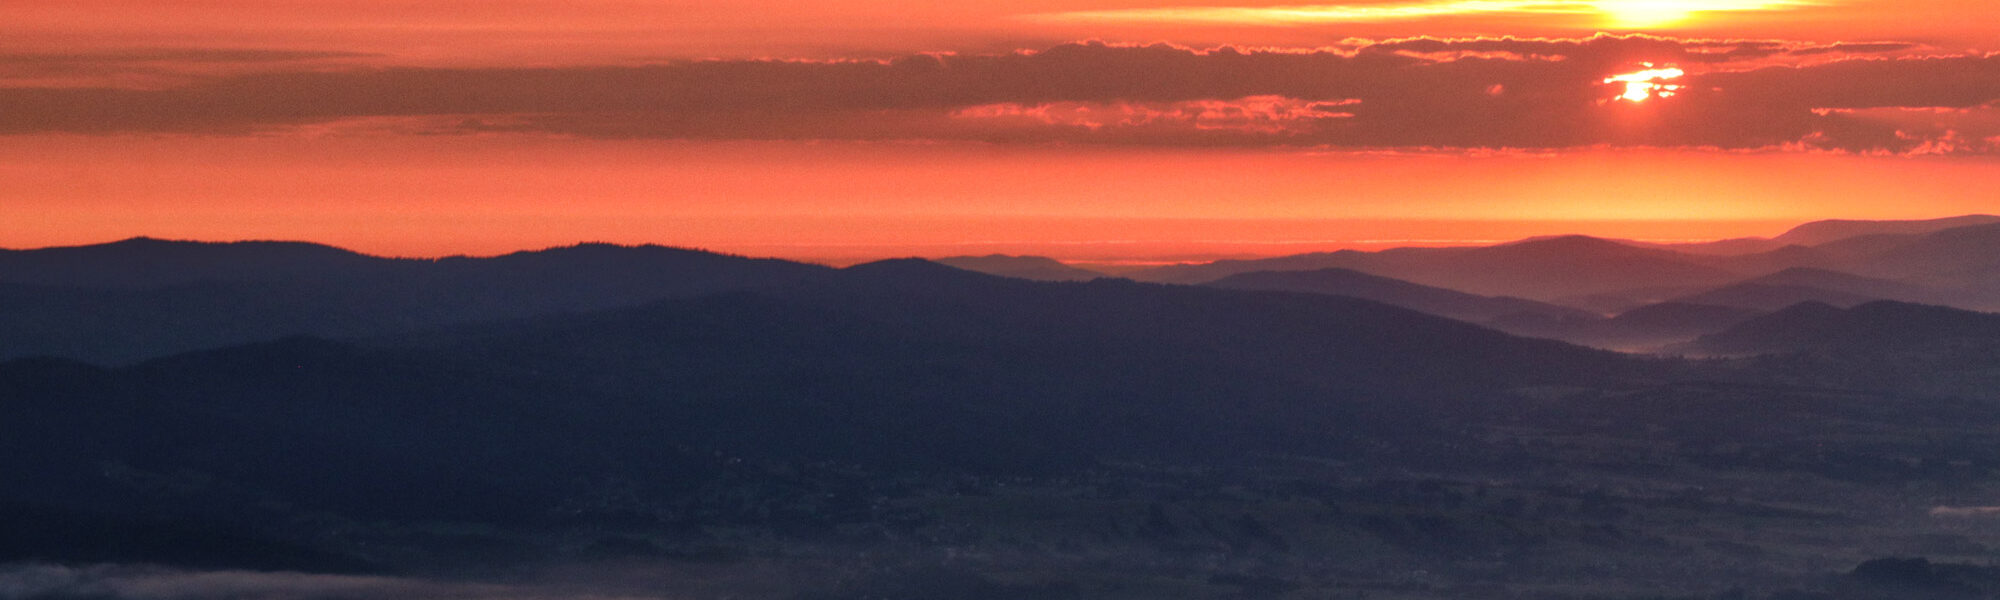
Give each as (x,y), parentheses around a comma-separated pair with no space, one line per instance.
(689,423)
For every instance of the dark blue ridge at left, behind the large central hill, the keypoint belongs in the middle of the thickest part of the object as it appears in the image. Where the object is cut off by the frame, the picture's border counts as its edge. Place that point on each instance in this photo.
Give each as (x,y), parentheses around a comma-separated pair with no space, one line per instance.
(143,299)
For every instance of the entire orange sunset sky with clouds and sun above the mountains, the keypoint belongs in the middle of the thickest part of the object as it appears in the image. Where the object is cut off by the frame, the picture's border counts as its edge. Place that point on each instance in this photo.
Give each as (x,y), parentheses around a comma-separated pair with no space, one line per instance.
(1113,131)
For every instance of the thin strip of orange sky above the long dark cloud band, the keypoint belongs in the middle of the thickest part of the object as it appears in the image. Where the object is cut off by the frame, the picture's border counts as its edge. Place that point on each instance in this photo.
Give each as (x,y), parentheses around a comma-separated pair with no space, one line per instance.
(615,31)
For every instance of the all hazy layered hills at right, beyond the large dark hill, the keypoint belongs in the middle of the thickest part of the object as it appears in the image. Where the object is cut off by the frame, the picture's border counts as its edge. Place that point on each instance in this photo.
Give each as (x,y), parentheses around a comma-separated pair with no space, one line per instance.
(1643,297)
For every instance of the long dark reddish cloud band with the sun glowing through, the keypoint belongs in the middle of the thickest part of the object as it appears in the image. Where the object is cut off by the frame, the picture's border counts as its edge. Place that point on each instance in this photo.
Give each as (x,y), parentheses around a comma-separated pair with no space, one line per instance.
(1421,93)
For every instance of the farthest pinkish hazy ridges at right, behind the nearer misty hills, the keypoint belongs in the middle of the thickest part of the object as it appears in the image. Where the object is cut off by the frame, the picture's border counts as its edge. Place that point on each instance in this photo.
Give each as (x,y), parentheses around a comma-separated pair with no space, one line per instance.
(1939,261)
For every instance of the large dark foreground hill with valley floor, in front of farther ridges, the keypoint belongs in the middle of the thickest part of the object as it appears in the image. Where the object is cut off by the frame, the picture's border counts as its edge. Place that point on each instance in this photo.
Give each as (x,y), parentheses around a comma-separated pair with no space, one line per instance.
(851,431)
